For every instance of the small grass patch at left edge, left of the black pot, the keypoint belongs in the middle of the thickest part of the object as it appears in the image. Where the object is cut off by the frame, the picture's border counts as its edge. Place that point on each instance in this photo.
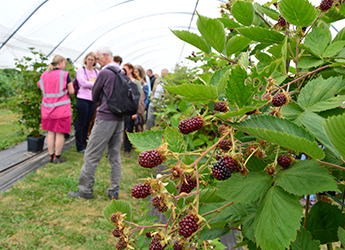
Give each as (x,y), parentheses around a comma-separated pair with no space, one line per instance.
(11,132)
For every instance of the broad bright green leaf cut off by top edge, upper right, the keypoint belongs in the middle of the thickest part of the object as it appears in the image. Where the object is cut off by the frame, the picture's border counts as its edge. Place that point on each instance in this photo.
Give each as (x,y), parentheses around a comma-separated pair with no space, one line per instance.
(298,12)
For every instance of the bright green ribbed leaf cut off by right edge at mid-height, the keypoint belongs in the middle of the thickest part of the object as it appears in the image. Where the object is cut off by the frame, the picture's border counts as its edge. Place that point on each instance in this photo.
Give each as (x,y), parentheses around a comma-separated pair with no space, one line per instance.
(335,132)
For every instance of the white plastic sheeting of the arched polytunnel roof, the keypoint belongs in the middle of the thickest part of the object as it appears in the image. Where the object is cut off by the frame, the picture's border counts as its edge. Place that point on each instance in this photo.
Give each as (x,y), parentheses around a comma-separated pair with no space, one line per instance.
(137,30)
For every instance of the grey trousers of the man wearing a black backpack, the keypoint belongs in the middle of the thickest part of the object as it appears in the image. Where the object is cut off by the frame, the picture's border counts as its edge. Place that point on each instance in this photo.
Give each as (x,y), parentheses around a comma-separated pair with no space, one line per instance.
(104,134)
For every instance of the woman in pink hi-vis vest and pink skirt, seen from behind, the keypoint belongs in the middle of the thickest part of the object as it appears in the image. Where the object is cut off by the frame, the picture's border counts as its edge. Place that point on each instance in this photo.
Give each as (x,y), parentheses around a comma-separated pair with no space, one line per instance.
(56,114)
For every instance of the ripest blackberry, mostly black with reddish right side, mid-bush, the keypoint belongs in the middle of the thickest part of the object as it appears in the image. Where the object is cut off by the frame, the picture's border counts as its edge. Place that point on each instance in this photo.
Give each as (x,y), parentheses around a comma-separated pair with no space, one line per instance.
(223,169)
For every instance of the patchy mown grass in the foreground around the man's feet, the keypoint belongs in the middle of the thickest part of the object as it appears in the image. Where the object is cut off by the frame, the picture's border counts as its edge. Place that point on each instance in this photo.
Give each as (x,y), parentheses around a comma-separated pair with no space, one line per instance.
(36,213)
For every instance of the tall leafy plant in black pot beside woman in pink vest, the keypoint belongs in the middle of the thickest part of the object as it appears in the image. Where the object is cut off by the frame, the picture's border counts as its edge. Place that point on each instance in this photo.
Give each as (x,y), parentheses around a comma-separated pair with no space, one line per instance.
(28,97)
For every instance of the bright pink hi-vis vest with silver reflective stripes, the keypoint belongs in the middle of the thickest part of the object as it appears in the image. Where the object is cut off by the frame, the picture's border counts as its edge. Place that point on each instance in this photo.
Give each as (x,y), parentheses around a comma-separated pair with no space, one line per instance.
(56,102)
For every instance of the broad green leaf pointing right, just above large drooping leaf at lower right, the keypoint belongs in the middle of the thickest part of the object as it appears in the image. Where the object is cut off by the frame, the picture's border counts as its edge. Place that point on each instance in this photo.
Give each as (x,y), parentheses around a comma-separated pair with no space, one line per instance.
(306,177)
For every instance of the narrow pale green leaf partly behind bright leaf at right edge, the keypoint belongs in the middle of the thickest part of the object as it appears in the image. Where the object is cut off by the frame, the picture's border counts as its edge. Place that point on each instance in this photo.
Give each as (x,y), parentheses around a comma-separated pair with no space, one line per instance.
(313,123)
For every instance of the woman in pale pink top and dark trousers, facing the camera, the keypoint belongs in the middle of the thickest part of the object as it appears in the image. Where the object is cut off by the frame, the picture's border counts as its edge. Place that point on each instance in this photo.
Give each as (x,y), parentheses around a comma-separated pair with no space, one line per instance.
(86,77)
